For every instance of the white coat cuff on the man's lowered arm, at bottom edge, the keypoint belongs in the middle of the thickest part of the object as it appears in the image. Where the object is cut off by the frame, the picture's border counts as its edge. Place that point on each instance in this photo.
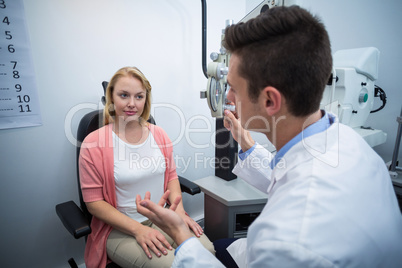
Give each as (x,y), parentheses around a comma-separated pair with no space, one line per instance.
(193,254)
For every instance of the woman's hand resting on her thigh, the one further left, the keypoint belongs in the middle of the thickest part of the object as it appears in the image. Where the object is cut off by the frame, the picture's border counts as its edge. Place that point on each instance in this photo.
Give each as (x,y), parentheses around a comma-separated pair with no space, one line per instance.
(151,239)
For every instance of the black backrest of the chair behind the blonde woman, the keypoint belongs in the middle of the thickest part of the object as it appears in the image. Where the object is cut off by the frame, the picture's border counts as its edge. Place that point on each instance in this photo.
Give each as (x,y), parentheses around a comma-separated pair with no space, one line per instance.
(89,123)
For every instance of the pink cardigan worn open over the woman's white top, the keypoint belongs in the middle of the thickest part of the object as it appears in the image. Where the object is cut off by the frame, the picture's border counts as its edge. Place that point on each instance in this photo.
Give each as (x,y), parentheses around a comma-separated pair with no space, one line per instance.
(96,167)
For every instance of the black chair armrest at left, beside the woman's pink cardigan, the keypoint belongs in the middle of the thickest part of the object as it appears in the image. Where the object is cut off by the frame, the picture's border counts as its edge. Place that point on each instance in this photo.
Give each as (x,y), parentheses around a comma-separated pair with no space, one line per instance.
(73,219)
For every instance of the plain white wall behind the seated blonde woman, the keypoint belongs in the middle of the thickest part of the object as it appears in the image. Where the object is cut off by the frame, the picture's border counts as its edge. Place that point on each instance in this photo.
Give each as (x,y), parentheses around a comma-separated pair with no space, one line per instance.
(76,45)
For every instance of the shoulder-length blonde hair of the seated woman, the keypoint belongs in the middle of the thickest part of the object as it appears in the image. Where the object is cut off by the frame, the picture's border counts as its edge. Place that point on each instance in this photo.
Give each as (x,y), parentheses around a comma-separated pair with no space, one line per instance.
(108,112)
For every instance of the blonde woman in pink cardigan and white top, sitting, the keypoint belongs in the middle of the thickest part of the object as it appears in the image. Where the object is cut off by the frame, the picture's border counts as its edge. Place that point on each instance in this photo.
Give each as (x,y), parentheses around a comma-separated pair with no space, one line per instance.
(126,157)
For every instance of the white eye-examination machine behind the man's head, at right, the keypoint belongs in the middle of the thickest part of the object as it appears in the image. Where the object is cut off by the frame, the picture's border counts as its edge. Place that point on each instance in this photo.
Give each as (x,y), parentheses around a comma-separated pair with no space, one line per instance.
(350,91)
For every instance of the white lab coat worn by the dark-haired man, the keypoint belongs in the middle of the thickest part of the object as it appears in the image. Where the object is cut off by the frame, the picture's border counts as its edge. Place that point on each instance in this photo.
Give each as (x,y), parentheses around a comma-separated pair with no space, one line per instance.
(330,204)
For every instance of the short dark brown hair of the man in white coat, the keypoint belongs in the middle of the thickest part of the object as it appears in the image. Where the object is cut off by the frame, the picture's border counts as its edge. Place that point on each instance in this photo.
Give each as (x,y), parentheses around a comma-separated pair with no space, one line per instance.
(286,48)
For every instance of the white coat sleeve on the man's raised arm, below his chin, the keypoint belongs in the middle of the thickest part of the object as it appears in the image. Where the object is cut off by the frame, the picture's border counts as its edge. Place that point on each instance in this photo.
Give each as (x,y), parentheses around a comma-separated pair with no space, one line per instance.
(255,169)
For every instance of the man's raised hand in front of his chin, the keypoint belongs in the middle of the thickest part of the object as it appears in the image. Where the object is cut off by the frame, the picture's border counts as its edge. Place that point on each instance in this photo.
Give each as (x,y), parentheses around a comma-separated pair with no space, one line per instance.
(242,136)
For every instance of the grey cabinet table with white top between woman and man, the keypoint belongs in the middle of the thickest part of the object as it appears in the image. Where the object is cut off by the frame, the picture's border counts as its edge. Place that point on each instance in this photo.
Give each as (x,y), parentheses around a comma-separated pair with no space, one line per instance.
(229,206)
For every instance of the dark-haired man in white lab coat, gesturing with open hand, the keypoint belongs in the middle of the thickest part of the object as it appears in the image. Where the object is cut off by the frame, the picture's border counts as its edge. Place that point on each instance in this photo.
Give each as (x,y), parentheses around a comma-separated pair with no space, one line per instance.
(330,198)
